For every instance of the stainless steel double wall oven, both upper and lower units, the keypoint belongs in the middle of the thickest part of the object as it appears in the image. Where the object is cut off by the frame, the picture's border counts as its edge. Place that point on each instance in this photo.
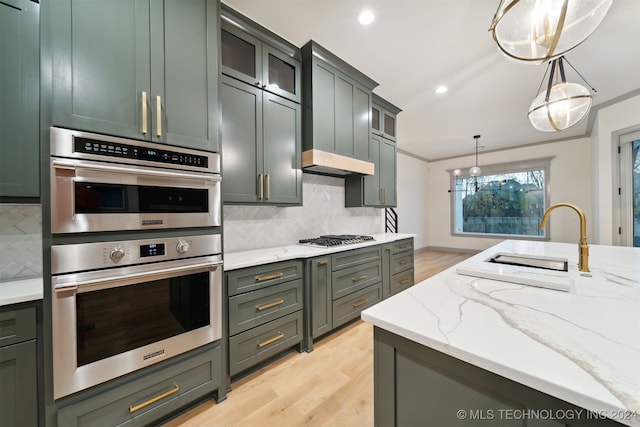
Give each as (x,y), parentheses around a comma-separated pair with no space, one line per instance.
(120,303)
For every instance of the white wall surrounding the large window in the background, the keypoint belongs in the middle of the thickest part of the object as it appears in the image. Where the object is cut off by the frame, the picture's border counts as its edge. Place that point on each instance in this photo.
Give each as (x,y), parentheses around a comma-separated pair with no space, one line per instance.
(570,181)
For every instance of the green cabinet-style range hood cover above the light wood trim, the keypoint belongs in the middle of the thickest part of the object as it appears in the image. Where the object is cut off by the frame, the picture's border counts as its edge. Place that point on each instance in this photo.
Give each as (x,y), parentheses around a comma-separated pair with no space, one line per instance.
(337,104)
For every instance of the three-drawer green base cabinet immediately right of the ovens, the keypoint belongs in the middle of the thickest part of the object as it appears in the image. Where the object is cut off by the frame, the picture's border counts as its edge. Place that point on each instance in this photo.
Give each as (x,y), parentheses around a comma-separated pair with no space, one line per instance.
(265,312)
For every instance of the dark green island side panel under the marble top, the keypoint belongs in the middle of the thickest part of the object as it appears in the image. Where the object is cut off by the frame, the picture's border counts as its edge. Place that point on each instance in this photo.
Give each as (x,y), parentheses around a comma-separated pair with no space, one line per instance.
(416,385)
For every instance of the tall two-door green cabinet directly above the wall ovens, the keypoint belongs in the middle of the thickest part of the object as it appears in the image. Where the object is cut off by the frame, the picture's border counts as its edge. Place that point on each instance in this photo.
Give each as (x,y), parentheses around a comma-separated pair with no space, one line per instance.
(146,69)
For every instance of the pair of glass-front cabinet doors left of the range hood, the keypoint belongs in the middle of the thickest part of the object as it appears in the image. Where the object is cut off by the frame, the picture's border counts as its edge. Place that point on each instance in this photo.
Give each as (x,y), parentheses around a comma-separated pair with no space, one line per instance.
(250,60)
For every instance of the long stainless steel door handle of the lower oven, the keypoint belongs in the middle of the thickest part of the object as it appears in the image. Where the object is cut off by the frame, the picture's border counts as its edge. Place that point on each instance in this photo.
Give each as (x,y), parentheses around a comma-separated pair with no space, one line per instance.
(115,281)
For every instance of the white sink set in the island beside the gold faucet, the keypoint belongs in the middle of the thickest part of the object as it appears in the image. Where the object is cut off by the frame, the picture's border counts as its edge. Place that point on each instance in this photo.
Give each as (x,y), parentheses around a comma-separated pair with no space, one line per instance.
(522,269)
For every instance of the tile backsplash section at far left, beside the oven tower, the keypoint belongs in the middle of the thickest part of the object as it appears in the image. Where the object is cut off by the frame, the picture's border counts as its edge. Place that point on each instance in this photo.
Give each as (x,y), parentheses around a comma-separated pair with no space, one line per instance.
(20,241)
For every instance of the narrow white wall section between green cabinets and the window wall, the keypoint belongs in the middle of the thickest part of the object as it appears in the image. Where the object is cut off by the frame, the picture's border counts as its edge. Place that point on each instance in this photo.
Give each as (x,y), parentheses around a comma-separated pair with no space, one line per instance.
(412,198)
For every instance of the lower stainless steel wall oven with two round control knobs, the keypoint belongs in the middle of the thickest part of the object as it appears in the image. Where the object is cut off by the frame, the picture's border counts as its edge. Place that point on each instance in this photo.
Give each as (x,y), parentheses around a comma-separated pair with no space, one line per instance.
(121,306)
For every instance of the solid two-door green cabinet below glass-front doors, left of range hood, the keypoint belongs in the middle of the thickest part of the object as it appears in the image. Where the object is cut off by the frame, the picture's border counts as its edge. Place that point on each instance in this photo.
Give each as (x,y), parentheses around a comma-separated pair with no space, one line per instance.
(261,138)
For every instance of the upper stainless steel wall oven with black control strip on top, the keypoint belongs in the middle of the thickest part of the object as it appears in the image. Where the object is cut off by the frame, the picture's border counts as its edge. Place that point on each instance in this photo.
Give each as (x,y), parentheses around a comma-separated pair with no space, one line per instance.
(103,183)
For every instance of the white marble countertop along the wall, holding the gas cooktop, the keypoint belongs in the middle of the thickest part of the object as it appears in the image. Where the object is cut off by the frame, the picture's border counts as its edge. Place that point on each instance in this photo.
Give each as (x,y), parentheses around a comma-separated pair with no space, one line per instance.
(235,260)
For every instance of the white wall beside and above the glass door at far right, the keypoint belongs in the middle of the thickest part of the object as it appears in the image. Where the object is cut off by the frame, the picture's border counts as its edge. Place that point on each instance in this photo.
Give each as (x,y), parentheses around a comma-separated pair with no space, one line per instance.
(609,123)
